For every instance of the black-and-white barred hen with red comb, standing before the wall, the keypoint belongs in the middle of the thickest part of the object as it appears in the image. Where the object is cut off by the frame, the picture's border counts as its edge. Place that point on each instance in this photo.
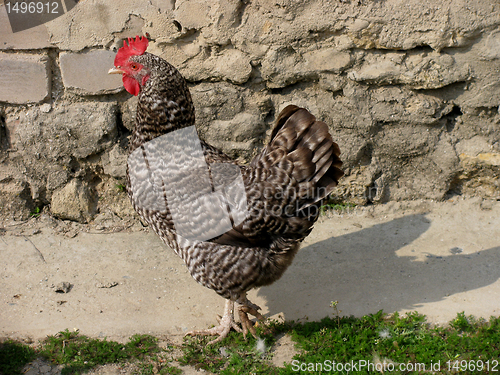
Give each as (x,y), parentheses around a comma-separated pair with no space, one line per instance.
(236,227)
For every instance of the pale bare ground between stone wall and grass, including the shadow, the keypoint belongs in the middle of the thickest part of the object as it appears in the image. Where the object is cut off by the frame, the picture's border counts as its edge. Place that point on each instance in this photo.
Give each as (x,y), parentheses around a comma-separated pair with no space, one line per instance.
(436,258)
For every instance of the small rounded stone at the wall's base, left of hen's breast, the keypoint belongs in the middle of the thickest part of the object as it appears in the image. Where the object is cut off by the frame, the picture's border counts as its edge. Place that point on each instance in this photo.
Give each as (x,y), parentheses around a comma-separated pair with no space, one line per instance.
(74,202)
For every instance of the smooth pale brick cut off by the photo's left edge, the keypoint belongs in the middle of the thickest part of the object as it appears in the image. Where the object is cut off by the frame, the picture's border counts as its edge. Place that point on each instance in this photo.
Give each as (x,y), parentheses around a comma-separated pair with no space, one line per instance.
(25,78)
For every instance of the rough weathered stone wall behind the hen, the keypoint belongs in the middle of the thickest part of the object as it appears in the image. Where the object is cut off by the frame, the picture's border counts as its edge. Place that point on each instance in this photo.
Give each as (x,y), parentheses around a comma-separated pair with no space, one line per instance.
(411,91)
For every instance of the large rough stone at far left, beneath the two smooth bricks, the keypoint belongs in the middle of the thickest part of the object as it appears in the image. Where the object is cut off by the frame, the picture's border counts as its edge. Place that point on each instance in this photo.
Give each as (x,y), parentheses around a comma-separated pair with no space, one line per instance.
(48,149)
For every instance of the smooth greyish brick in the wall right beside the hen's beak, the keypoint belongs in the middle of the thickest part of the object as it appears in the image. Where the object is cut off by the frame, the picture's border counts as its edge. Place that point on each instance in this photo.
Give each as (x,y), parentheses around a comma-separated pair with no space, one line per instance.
(88,72)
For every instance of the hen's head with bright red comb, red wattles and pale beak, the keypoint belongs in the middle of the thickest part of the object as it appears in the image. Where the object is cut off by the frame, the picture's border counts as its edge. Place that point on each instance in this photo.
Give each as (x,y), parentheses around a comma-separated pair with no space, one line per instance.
(135,74)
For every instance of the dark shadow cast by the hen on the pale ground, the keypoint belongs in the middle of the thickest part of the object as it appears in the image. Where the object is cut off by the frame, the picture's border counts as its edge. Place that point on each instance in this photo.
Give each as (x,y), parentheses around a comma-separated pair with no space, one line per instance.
(362,271)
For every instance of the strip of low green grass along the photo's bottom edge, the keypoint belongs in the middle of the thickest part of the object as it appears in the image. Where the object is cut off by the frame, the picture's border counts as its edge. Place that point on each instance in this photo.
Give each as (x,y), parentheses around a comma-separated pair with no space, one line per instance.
(377,338)
